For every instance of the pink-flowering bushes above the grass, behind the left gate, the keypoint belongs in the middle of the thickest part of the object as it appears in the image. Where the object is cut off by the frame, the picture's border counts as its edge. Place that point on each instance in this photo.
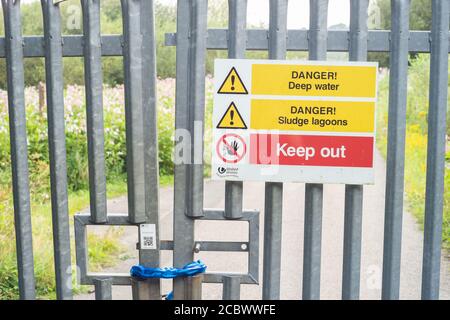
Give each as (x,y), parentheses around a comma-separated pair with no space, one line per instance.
(76,143)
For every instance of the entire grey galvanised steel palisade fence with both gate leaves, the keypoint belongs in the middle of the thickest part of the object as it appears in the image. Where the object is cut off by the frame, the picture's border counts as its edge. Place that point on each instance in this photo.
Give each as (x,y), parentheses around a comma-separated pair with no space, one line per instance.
(192,40)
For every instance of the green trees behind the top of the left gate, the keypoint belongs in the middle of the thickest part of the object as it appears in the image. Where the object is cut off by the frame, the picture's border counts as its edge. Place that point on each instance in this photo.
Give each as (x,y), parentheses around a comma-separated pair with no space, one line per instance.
(111,23)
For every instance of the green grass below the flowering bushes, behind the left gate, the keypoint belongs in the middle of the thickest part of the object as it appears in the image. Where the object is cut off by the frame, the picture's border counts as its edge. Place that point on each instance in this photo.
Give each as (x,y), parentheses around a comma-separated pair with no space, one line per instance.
(104,250)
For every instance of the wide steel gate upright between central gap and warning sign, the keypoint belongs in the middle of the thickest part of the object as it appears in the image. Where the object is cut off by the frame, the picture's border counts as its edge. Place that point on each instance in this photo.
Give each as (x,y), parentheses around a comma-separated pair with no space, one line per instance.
(190,86)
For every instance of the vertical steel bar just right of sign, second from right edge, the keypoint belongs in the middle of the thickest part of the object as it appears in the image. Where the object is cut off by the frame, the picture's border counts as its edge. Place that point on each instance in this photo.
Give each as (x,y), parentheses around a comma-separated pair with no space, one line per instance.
(396,148)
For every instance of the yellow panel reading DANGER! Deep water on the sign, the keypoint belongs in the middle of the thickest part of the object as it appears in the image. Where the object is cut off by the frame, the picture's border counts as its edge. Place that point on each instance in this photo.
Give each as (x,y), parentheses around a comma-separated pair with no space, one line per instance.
(314,80)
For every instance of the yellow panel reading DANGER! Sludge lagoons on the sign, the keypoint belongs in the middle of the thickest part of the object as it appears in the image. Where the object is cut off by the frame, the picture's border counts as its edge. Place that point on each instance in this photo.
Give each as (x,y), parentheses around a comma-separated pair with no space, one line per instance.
(304,115)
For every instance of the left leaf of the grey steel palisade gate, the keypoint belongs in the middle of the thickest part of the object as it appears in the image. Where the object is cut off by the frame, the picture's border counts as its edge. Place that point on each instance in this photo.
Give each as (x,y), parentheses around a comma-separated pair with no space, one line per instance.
(137,47)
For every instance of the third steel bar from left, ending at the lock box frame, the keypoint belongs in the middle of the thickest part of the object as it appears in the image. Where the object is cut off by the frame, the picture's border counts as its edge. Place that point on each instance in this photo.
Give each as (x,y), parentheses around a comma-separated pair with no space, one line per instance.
(94,109)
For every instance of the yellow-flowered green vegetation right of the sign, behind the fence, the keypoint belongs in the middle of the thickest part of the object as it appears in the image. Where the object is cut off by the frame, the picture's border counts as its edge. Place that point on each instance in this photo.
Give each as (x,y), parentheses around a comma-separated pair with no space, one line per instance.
(416,141)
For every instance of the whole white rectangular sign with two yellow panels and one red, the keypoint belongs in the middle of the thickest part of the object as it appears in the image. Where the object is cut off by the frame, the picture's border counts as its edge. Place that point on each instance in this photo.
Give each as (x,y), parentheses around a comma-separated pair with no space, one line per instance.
(310,121)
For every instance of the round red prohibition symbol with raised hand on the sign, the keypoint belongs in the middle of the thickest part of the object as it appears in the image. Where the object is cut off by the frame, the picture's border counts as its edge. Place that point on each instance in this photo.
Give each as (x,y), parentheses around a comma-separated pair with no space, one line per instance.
(231,148)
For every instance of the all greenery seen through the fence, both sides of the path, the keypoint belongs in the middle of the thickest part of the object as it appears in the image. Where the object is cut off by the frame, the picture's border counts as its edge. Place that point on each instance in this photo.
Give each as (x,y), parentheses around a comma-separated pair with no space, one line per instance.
(104,249)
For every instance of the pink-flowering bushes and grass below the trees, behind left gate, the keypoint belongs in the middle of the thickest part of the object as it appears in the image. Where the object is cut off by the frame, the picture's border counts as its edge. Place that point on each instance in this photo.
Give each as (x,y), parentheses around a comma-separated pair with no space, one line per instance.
(103,249)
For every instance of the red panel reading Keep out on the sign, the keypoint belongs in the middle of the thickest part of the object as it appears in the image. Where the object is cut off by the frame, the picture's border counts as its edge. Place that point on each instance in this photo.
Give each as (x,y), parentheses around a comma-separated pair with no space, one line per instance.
(311,150)
